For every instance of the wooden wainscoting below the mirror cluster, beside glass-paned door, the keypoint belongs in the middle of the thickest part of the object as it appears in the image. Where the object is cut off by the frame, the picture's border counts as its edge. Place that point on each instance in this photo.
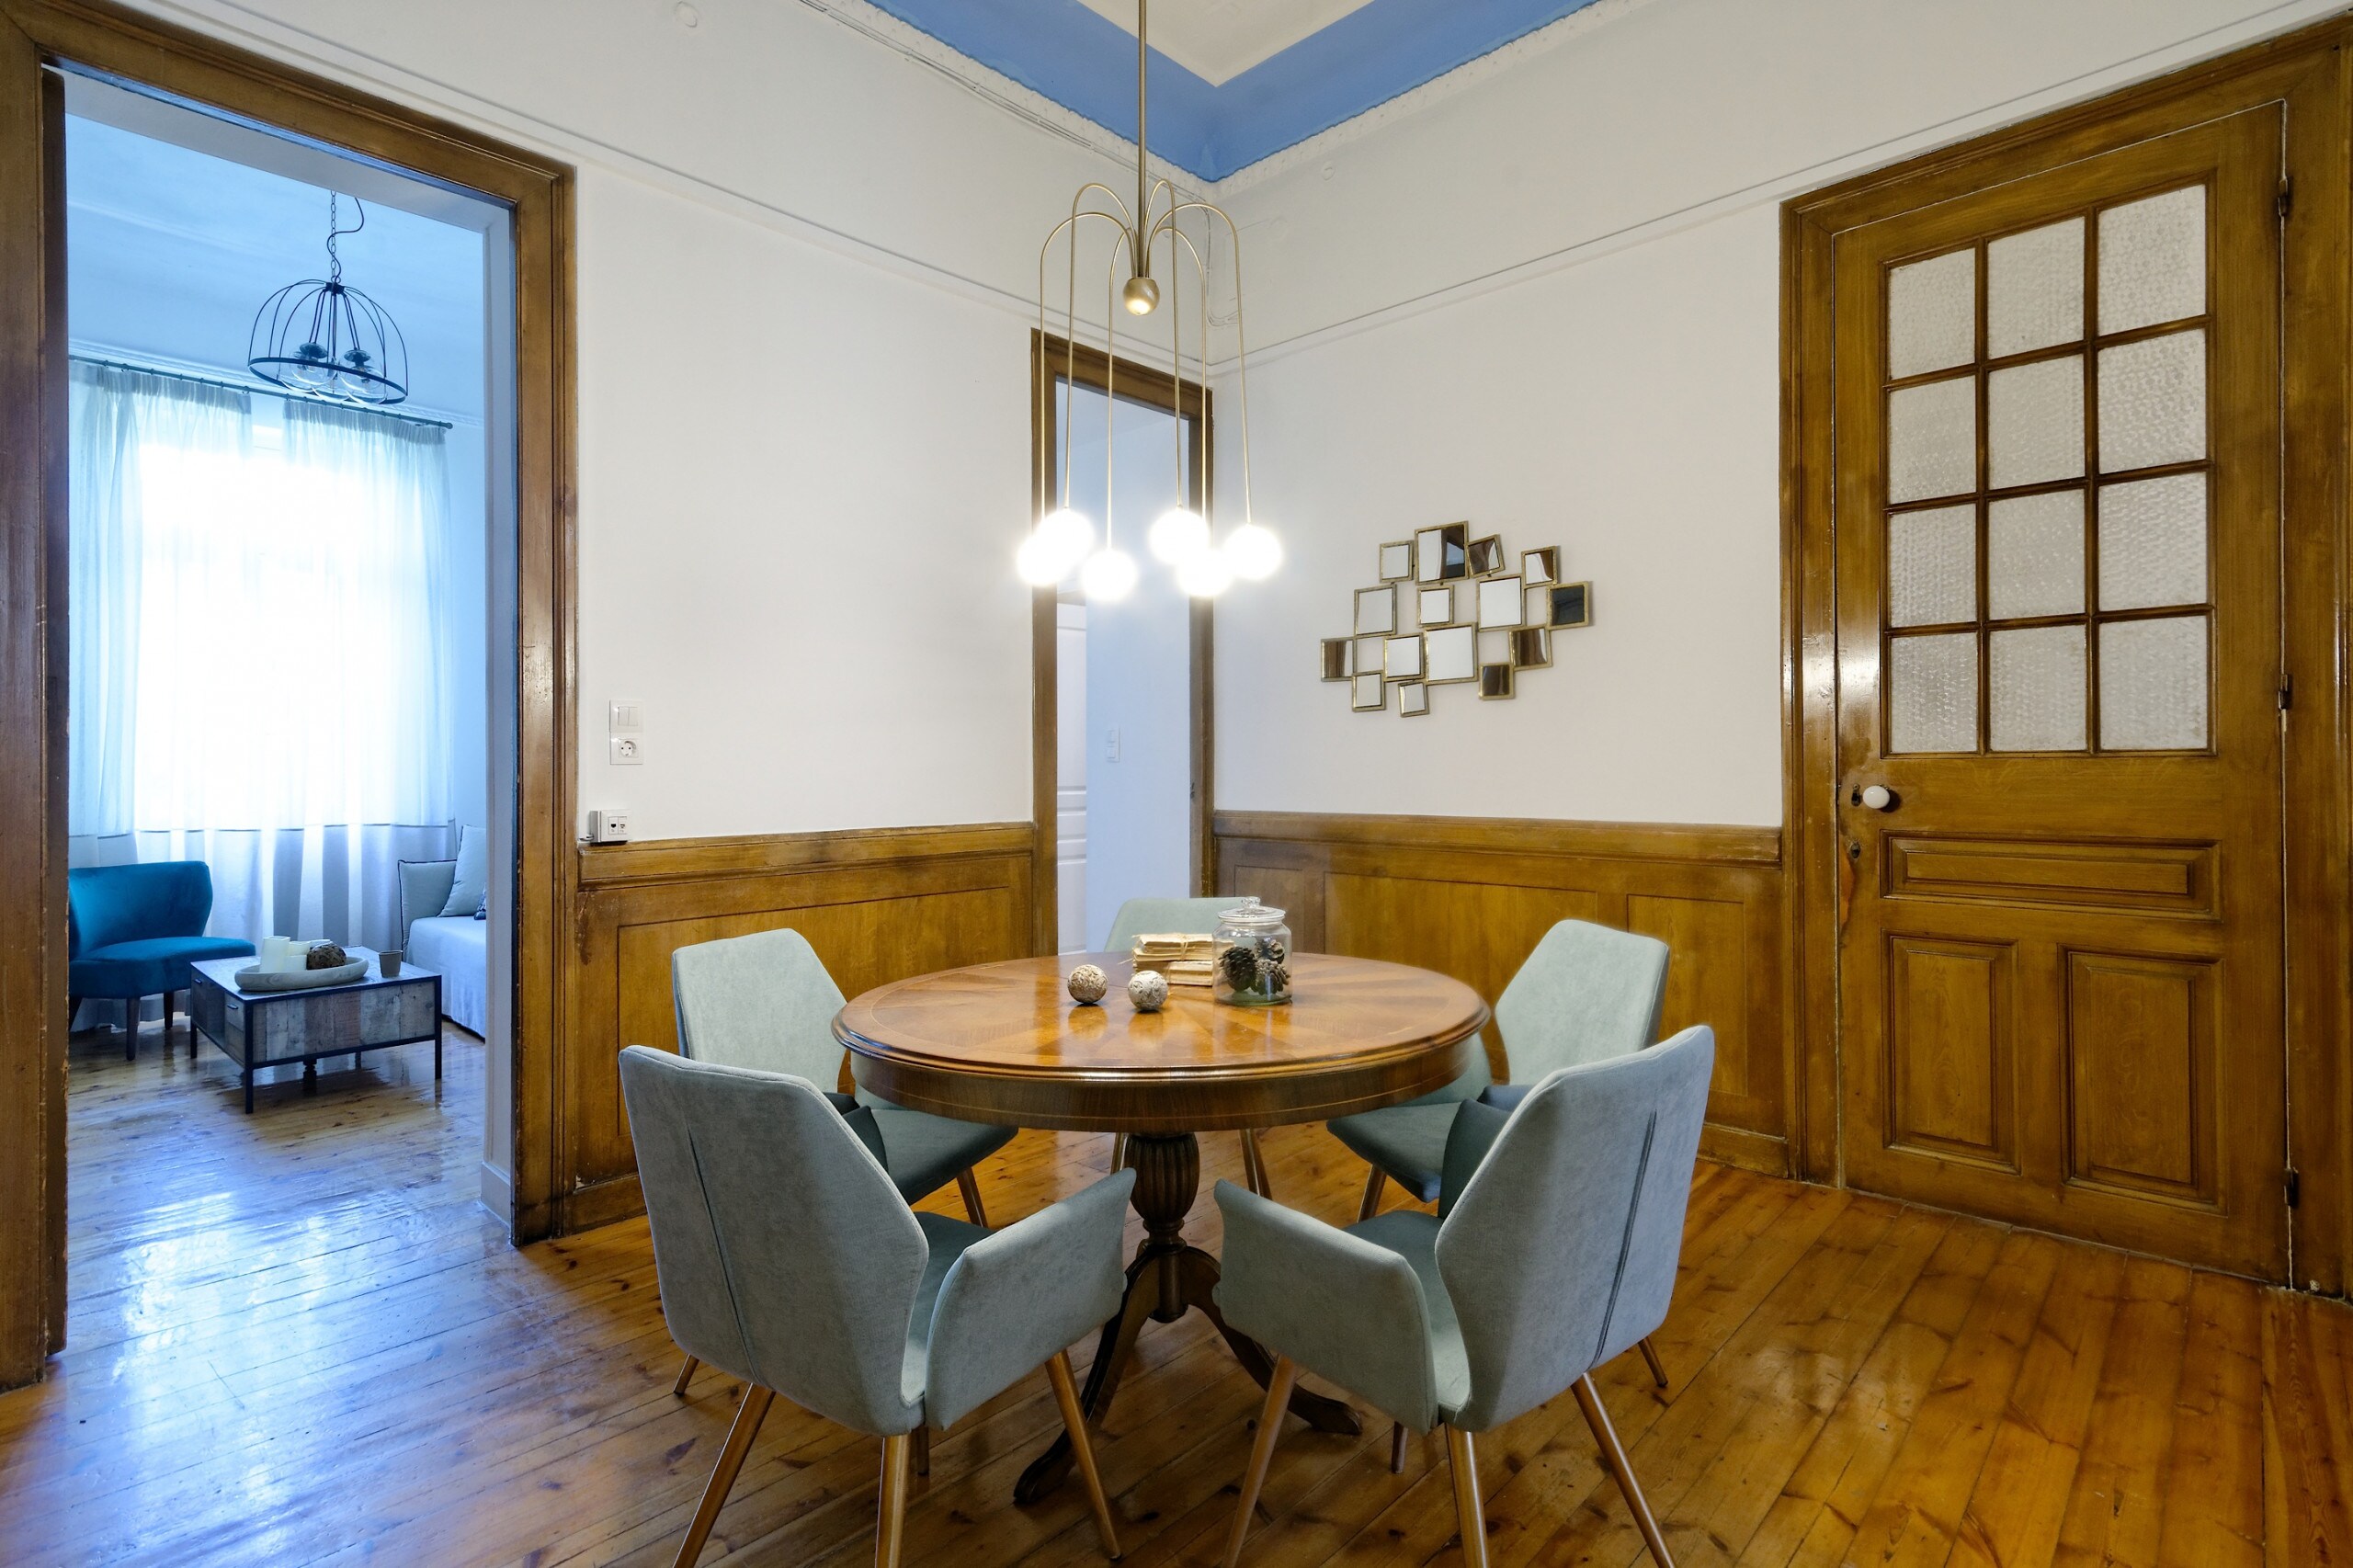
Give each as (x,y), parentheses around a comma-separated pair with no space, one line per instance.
(1472,898)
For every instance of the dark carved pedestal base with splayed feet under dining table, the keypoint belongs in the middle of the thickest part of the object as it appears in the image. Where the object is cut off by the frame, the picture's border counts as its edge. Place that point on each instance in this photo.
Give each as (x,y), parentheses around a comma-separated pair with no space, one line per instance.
(1166,1282)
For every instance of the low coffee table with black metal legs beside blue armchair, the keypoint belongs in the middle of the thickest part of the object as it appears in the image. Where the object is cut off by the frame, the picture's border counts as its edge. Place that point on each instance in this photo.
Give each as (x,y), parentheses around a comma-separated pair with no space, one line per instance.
(281,1028)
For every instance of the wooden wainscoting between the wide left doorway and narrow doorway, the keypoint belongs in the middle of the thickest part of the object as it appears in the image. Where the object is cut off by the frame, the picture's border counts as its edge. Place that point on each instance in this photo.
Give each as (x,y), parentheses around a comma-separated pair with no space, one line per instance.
(876,905)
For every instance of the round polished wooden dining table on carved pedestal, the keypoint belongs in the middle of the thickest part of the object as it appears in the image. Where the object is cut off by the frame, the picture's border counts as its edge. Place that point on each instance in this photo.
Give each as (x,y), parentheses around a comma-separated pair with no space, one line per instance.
(1006,1044)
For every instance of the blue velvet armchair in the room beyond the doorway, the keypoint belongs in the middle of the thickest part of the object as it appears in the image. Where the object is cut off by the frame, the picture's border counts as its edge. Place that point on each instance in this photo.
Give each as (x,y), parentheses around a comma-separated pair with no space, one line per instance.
(135,931)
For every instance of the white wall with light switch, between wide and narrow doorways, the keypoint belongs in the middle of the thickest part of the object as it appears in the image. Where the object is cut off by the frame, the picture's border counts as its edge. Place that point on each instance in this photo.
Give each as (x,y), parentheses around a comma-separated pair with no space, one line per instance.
(806,274)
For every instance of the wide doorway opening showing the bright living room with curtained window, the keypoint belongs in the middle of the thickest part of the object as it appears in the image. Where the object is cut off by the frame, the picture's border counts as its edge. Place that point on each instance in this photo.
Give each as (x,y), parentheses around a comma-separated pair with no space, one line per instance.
(293,620)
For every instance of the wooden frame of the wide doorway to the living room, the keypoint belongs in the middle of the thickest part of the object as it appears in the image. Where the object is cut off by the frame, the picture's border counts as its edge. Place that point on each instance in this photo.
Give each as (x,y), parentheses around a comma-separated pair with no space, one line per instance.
(95,36)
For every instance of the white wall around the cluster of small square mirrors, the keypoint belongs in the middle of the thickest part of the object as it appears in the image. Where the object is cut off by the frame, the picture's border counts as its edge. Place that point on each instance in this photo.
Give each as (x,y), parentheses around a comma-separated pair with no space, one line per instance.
(1547,303)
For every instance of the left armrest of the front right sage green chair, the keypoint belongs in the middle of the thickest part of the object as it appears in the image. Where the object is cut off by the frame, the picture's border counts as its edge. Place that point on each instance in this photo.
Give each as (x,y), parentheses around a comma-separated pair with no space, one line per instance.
(1338,1305)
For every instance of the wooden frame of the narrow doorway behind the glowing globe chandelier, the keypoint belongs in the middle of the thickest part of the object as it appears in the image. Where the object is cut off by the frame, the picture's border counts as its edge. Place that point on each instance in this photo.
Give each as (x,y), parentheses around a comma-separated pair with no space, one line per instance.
(1058,359)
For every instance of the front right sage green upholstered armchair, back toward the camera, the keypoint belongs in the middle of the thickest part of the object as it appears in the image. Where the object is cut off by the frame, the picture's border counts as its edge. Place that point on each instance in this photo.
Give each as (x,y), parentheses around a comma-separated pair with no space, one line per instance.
(1557,1251)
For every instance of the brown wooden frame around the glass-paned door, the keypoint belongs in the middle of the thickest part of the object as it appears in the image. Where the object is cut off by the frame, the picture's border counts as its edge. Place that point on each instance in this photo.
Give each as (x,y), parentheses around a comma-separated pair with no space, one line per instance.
(2307,72)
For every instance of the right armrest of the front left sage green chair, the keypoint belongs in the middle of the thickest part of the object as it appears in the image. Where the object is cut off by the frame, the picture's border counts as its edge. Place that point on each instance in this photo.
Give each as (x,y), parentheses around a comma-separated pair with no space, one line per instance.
(1022,1294)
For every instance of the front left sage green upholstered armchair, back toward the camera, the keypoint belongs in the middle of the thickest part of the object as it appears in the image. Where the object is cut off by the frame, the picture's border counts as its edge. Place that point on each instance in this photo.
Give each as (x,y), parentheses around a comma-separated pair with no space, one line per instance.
(789,1258)
